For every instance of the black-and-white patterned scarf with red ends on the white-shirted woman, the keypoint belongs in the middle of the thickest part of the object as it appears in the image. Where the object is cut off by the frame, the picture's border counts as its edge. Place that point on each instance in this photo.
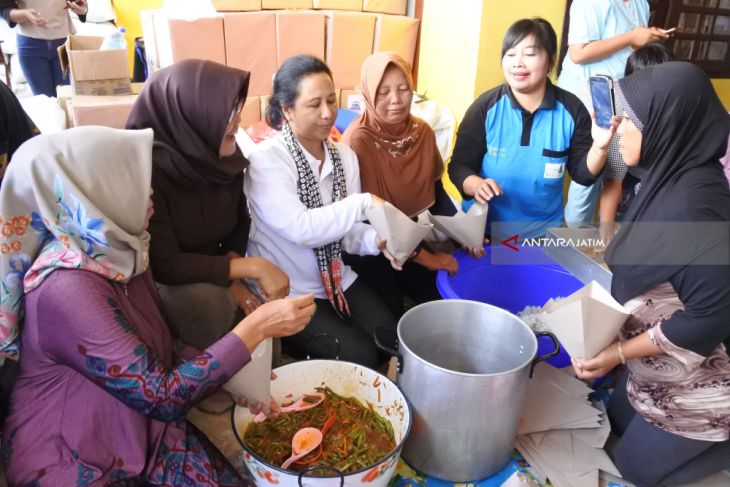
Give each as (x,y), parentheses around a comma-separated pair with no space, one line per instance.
(329,257)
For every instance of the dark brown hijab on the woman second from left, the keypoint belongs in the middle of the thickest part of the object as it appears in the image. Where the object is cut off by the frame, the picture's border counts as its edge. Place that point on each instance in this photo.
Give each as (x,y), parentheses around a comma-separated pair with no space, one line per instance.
(188,105)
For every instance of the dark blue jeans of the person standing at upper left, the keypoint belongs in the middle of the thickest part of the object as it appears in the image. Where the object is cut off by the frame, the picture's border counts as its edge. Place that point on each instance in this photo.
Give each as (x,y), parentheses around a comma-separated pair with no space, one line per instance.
(41,65)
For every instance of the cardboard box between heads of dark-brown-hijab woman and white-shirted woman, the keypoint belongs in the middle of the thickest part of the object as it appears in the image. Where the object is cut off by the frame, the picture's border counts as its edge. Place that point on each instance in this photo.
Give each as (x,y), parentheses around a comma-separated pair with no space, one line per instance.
(251,46)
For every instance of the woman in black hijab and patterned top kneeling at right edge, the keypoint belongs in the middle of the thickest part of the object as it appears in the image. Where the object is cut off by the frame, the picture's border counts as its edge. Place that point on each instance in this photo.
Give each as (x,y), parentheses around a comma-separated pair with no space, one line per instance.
(671,269)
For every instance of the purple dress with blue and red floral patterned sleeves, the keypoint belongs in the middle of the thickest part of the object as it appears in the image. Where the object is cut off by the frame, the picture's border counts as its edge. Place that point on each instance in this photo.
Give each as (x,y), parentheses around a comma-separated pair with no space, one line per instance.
(94,403)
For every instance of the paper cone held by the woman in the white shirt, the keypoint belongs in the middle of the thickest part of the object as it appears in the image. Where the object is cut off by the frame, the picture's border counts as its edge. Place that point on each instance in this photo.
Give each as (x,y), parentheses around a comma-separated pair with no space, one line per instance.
(402,235)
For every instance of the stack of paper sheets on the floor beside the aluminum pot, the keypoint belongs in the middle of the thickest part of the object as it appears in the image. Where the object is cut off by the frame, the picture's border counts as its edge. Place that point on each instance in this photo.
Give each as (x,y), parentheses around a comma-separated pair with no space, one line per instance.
(561,433)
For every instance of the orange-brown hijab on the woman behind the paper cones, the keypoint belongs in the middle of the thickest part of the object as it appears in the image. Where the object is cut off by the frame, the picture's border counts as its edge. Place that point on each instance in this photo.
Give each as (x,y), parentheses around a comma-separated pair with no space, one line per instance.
(400,162)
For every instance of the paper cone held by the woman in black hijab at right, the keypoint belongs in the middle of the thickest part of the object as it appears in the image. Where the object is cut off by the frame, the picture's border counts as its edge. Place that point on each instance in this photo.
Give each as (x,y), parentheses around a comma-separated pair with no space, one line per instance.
(587,321)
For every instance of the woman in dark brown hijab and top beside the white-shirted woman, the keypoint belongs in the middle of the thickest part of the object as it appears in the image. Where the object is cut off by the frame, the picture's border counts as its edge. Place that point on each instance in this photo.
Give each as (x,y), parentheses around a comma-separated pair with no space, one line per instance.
(201,222)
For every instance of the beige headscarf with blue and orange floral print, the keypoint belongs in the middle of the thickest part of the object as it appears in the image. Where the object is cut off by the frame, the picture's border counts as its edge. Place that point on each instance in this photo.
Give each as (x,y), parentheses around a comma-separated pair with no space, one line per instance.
(75,199)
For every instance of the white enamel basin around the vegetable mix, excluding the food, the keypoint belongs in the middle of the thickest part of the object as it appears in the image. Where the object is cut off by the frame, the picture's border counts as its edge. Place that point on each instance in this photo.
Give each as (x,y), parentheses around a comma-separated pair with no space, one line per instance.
(347,379)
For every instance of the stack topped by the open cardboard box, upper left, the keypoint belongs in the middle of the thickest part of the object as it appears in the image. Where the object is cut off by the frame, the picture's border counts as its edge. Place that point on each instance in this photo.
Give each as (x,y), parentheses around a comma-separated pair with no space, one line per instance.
(100,92)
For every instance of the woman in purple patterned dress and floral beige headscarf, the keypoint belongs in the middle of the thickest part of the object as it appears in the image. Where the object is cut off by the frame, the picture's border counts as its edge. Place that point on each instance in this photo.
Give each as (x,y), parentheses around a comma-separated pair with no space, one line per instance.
(98,399)
